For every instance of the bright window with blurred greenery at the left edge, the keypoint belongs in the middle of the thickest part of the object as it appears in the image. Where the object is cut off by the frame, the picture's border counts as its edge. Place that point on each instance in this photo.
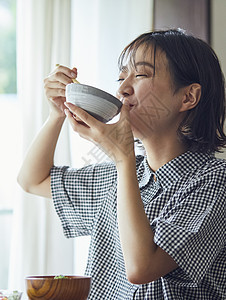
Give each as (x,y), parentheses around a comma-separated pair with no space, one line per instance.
(10,134)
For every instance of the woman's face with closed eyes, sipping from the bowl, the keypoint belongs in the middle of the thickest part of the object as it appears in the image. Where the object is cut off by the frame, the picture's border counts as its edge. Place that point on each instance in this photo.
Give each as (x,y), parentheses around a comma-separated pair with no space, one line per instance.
(148,87)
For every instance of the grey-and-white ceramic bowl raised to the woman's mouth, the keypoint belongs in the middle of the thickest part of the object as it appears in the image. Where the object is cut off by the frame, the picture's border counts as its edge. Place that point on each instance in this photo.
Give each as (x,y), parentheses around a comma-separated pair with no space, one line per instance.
(98,103)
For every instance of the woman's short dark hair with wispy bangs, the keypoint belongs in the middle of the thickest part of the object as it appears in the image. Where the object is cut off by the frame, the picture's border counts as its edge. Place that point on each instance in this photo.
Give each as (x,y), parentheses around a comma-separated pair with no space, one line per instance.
(191,60)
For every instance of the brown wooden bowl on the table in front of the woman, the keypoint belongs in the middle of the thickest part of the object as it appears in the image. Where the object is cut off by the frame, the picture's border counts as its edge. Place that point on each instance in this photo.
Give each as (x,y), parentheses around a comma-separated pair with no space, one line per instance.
(47,287)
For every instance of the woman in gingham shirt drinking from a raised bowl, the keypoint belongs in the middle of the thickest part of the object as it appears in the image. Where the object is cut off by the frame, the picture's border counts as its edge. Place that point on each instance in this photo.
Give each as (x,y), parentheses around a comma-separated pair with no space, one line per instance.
(156,221)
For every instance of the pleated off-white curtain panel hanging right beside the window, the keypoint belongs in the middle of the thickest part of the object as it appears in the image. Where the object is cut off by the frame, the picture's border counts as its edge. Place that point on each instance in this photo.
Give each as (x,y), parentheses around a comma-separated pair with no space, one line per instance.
(44,34)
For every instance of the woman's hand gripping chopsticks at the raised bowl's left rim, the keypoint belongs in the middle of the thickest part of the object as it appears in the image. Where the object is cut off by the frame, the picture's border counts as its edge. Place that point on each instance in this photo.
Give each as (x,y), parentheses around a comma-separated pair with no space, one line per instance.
(55,85)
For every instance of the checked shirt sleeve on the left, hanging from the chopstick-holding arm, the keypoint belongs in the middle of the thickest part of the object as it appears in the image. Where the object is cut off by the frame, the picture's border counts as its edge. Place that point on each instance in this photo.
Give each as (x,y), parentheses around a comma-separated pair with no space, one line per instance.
(78,194)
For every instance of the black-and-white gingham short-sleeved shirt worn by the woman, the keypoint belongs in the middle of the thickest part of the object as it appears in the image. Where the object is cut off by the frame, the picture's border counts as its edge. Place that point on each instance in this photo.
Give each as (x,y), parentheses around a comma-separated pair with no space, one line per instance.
(186,209)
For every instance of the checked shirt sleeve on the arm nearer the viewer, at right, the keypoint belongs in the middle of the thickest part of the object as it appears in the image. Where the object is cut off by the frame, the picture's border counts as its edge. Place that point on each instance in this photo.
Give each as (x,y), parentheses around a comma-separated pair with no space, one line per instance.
(191,226)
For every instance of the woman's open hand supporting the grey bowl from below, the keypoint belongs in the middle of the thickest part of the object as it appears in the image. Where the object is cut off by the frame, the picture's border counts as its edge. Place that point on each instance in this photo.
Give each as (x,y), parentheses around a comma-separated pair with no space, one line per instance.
(116,140)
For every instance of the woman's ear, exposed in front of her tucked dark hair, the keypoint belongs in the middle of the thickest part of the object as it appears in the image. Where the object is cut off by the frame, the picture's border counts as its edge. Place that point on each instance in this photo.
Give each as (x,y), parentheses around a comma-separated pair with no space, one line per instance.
(192,95)
